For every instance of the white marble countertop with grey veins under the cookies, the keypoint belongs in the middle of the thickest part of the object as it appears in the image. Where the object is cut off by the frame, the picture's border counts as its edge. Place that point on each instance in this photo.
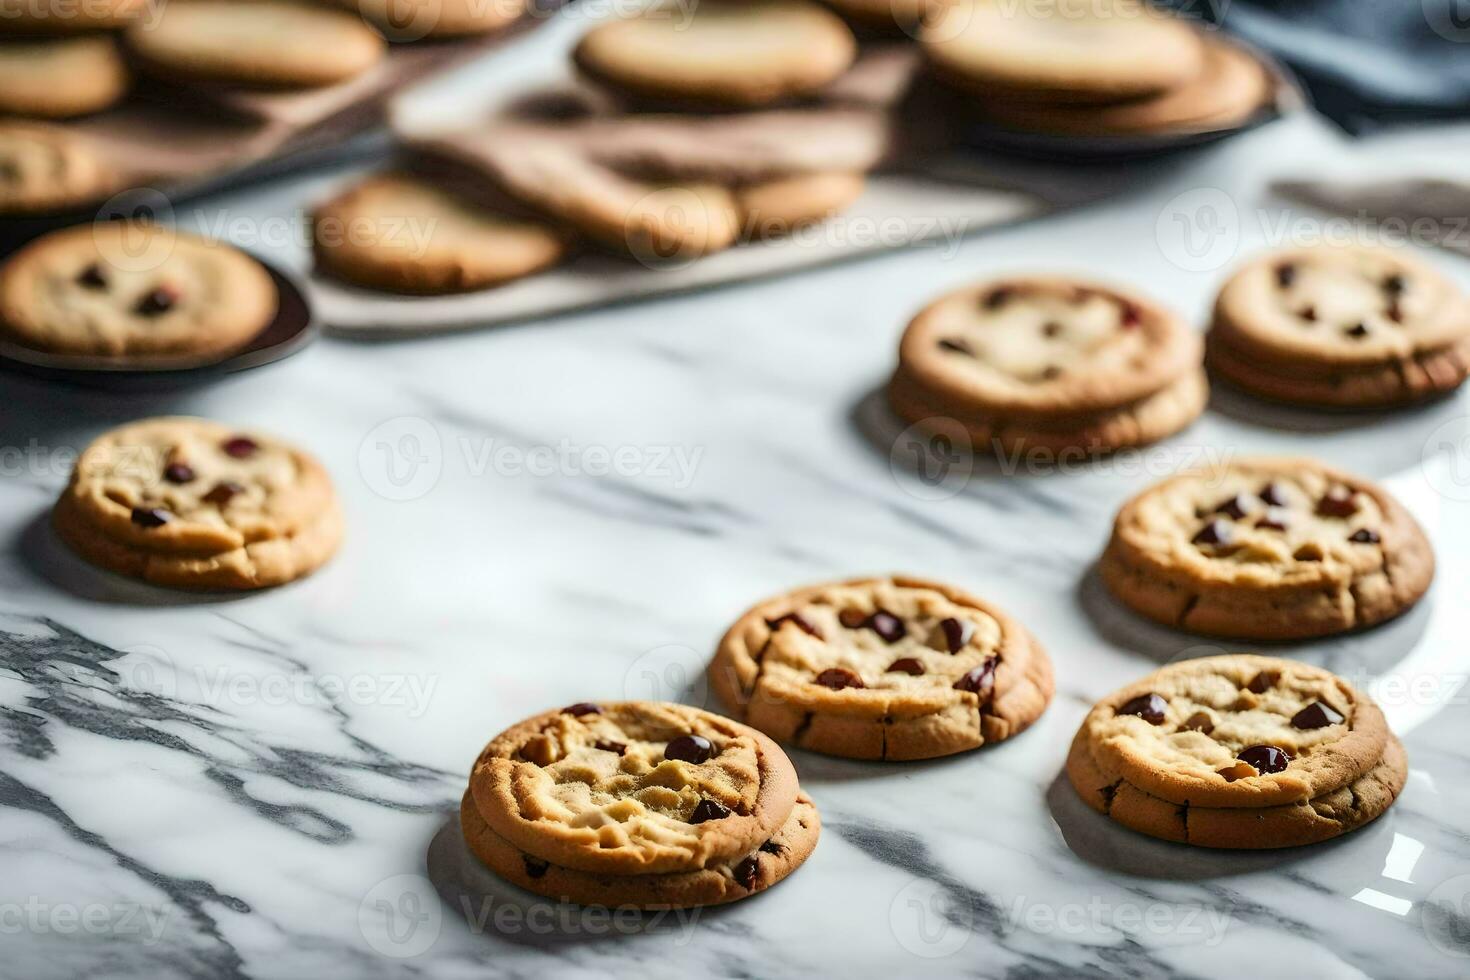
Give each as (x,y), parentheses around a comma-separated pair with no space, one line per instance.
(265,787)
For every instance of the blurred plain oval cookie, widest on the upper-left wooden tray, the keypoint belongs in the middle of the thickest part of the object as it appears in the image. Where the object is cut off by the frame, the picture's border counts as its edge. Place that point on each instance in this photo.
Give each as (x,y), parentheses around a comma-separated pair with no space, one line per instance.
(264,43)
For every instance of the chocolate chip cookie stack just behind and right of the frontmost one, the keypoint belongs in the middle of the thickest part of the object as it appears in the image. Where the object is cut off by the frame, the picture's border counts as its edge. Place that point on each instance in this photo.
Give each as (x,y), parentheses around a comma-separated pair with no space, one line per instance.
(883,669)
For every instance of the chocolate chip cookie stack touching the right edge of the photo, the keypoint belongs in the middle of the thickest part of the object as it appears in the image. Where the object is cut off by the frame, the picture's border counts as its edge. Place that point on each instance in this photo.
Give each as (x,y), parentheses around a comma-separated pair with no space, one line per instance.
(1341,327)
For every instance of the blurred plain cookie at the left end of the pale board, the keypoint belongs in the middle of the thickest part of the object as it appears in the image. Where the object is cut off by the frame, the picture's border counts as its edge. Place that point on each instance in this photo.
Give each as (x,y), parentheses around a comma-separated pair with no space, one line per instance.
(401,234)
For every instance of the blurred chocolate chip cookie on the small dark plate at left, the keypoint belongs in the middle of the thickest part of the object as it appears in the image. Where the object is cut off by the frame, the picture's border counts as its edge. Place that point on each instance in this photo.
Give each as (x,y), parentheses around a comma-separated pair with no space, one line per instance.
(133,290)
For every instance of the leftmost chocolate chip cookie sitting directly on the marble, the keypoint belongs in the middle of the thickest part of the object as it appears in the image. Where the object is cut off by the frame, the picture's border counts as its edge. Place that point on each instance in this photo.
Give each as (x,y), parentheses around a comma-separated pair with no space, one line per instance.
(192,503)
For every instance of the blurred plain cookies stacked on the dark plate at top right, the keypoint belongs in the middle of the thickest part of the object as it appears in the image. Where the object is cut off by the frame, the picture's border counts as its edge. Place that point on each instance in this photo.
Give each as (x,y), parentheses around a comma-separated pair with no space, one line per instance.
(1091,68)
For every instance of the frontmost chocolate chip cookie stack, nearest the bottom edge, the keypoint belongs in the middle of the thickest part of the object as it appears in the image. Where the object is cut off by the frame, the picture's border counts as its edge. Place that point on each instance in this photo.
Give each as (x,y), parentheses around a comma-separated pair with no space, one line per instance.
(637,804)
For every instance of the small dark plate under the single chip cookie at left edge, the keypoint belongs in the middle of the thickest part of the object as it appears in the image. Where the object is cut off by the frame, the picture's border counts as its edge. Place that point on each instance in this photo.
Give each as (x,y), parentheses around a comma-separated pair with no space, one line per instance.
(293,328)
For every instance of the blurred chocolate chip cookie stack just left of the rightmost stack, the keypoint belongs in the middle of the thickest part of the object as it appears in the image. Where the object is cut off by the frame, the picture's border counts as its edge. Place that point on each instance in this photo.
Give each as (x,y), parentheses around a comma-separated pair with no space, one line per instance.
(1050,367)
